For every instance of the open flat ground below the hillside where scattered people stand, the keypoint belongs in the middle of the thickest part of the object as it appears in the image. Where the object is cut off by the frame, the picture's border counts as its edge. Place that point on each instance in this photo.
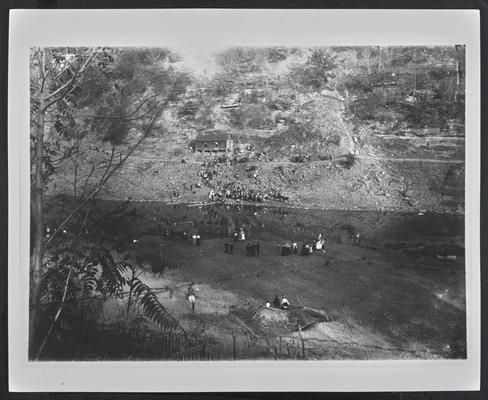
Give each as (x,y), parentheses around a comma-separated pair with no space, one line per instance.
(389,298)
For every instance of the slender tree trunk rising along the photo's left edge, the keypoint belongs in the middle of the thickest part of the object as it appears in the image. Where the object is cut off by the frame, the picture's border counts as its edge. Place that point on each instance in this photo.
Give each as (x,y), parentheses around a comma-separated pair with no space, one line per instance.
(38,223)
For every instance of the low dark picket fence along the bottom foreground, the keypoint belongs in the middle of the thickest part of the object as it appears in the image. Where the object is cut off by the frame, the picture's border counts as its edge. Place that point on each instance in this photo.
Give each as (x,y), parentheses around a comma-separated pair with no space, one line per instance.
(116,343)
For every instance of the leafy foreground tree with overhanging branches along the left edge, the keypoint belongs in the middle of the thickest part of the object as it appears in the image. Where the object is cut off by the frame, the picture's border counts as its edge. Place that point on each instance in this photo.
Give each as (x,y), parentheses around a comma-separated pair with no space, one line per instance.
(92,107)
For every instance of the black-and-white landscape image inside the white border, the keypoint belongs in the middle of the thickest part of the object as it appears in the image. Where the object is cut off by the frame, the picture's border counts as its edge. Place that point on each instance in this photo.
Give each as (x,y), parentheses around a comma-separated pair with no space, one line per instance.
(239,202)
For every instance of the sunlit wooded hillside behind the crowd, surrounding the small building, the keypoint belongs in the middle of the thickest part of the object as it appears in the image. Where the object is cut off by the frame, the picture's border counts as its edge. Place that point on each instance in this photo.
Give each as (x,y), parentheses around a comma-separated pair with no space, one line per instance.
(362,111)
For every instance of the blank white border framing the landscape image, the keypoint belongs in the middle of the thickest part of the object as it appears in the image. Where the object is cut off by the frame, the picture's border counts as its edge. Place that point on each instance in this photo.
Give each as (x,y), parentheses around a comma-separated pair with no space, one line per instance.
(198,27)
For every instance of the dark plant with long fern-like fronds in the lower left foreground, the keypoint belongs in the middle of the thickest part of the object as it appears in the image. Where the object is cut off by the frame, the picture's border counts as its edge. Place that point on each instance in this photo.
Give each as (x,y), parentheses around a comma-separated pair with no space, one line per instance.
(75,275)
